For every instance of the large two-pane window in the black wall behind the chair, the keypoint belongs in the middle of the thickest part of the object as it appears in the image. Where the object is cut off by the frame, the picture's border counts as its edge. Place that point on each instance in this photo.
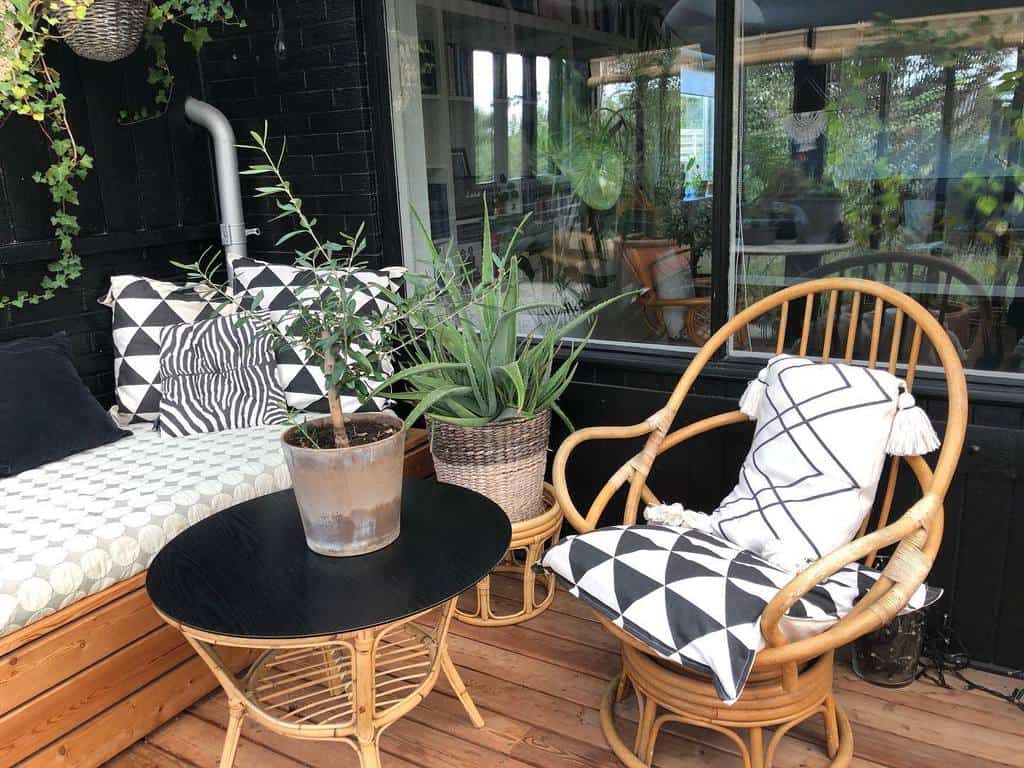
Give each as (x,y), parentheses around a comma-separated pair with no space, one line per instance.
(871,139)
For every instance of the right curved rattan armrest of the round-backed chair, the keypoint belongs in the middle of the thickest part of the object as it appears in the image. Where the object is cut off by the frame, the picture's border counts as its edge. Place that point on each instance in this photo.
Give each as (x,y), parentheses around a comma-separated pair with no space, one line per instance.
(887,599)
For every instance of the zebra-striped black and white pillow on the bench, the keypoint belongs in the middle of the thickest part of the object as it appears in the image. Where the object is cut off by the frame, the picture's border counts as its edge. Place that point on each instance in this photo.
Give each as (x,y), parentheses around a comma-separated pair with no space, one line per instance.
(219,374)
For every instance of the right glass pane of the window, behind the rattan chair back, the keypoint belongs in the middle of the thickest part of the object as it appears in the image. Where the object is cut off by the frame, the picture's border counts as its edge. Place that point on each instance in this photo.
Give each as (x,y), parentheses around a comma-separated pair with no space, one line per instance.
(885,142)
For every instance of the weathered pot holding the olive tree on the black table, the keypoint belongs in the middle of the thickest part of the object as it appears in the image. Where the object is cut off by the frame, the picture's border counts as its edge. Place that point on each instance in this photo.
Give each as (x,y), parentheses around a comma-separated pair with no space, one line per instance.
(350,499)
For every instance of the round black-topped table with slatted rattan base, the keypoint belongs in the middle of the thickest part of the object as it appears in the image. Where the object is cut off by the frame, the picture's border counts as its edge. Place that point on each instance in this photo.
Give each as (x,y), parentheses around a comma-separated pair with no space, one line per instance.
(347,646)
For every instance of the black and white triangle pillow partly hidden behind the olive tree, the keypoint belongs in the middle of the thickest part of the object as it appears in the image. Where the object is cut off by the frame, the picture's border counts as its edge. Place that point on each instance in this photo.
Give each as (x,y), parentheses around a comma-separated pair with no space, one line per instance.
(278,289)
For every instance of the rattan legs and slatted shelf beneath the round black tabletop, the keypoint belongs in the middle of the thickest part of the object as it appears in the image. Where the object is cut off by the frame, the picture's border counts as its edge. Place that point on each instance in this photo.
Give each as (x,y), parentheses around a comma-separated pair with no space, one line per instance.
(348,688)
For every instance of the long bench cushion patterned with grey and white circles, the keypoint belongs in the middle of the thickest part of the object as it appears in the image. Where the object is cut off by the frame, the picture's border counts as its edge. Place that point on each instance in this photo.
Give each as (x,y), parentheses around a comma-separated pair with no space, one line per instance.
(73,528)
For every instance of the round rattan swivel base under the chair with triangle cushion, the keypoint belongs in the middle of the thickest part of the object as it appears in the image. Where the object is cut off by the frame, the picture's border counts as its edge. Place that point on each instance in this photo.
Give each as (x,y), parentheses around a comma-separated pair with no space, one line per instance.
(667,693)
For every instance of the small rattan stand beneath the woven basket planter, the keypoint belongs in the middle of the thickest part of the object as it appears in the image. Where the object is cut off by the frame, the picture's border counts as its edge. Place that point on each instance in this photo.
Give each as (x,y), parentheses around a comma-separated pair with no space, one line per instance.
(530,538)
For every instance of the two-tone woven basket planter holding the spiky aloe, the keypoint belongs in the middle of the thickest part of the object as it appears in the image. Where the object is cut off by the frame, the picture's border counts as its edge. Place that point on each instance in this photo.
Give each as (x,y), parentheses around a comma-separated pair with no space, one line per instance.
(504,461)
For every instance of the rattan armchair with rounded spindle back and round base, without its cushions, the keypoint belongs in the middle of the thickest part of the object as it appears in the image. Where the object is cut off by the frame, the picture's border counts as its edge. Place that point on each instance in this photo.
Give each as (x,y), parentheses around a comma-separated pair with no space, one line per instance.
(791,681)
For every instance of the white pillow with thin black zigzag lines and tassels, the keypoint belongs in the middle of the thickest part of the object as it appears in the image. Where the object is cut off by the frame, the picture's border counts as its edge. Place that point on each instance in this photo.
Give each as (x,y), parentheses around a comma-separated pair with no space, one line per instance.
(810,477)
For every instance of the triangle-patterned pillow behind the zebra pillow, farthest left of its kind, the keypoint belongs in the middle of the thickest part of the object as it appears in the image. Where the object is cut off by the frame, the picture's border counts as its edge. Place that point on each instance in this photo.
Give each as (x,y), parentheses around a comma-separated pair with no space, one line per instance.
(143,309)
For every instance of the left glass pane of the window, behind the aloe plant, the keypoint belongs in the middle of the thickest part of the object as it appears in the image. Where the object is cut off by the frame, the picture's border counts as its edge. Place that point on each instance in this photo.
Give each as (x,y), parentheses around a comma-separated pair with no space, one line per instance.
(594,118)
